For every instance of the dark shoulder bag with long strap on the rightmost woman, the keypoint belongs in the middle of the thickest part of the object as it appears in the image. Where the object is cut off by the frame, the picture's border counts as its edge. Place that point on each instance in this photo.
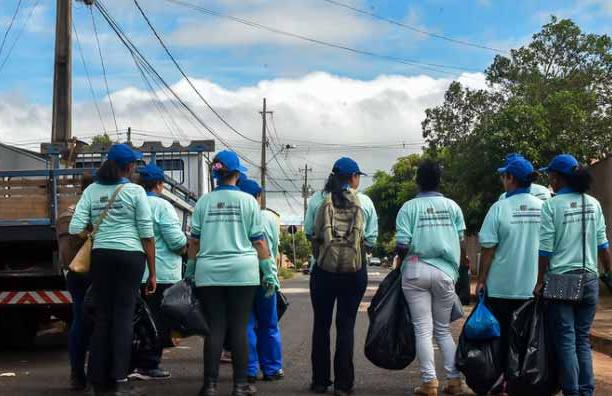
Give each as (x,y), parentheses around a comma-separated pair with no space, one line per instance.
(568,287)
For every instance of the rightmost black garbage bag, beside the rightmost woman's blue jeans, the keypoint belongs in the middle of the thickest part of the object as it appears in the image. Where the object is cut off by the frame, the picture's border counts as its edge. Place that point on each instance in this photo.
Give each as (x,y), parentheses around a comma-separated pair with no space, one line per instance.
(531,364)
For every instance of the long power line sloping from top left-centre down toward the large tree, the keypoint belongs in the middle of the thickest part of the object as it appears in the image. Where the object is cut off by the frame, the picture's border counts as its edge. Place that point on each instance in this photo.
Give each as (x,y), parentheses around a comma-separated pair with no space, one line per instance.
(423,65)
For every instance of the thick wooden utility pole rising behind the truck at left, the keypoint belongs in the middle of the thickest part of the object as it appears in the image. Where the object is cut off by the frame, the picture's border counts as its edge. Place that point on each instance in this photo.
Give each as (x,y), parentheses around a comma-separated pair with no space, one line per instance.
(61,130)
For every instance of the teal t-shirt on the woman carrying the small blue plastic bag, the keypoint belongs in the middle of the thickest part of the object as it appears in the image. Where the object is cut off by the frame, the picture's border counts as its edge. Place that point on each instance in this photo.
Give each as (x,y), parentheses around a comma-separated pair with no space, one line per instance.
(512,226)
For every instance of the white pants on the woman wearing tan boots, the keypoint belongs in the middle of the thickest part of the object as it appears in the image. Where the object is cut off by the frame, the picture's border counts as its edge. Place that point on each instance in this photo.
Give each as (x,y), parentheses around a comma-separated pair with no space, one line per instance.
(430,294)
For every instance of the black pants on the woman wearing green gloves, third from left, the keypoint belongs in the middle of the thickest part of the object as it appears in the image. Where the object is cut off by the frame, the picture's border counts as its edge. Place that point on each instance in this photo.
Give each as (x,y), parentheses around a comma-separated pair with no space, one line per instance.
(226,309)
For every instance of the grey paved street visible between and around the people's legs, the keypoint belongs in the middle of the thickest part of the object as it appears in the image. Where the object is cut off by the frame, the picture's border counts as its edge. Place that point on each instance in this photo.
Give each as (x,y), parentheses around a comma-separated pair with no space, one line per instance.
(44,371)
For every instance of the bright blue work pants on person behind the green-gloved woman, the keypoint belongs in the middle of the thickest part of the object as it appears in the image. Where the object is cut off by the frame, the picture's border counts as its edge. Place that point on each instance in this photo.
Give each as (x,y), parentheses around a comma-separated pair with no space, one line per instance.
(265,344)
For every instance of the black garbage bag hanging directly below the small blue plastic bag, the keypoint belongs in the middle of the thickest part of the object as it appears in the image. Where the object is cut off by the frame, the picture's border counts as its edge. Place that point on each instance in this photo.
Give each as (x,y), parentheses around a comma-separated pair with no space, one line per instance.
(479,361)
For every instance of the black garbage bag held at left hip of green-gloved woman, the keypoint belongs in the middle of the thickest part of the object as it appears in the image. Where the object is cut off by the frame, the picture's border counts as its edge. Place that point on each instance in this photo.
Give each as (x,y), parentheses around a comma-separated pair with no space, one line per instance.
(182,309)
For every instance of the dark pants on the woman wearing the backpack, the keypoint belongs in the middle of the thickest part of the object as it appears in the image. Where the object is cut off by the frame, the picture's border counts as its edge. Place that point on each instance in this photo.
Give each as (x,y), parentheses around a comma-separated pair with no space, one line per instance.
(325,289)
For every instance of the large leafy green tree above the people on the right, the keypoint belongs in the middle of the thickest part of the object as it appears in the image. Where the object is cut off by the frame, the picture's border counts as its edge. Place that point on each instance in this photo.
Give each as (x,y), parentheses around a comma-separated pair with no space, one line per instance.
(551,96)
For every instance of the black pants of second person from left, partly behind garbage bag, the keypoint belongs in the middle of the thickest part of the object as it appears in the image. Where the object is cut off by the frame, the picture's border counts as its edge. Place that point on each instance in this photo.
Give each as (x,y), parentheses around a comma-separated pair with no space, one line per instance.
(149,360)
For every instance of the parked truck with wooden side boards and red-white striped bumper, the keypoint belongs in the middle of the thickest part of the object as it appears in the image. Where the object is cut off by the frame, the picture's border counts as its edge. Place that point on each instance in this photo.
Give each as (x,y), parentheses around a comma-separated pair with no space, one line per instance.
(32,281)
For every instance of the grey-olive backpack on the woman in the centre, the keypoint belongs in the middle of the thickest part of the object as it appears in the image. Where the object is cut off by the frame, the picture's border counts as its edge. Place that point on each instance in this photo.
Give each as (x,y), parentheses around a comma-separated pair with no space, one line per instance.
(338,235)
